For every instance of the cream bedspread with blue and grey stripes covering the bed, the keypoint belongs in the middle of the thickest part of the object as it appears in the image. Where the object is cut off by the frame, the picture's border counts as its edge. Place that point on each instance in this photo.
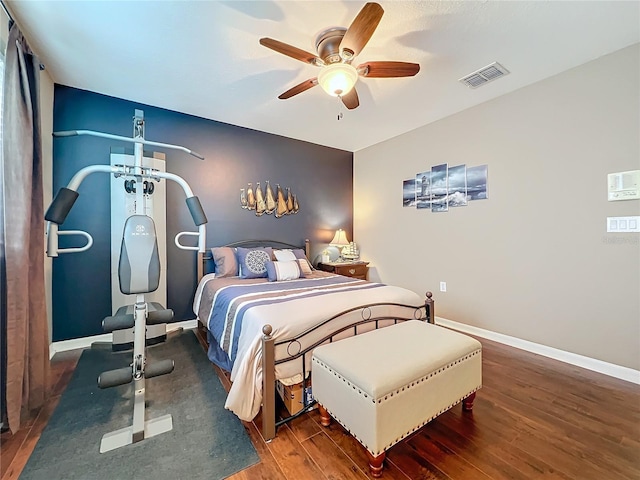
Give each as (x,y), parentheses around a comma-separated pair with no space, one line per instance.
(235,311)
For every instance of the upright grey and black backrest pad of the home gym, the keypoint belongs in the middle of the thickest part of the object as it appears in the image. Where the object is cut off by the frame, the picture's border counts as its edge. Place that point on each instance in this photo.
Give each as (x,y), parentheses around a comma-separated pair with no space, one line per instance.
(139,267)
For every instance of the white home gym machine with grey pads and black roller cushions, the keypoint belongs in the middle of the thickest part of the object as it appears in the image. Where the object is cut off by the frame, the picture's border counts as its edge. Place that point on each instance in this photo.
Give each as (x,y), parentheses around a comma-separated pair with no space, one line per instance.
(138,271)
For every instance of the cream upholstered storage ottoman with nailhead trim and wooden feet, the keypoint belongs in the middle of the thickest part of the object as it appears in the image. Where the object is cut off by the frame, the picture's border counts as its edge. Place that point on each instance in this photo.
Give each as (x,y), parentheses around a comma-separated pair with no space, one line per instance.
(385,384)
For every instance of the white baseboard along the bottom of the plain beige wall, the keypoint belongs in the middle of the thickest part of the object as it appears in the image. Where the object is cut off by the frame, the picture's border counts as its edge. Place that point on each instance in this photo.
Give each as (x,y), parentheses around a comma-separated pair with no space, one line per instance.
(611,369)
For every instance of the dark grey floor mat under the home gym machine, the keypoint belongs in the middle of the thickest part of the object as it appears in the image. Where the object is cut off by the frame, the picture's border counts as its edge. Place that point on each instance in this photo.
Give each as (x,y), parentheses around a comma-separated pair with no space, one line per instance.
(207,441)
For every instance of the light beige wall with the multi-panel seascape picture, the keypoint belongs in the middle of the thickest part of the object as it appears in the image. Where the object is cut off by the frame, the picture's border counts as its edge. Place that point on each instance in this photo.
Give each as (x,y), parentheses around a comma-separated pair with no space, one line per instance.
(534,260)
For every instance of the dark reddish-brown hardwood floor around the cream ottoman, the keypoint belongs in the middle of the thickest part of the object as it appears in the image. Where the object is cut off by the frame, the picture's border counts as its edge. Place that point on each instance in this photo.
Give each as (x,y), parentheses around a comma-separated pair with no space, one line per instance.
(533,418)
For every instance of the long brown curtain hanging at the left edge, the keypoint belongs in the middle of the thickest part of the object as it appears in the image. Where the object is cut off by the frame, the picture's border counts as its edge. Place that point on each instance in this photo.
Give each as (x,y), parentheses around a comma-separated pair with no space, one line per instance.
(27,335)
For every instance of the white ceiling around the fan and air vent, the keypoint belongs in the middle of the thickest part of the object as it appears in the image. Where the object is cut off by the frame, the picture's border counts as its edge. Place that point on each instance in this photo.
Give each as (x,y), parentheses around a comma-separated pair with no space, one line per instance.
(203,57)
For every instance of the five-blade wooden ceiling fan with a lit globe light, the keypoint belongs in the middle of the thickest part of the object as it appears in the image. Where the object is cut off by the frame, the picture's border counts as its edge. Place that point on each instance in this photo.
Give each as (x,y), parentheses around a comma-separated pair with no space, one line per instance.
(336,49)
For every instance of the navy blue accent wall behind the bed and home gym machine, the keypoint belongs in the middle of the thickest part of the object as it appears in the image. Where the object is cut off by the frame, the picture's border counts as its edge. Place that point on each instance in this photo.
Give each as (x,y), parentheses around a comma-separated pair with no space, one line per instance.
(321,177)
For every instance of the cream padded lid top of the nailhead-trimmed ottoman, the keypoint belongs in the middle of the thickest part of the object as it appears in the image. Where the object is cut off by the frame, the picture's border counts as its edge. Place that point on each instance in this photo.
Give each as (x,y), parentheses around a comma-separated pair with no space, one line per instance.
(385,360)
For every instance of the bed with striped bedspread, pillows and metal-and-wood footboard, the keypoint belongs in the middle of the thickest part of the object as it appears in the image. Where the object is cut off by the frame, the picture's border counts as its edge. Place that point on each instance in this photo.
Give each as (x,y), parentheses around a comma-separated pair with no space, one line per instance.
(262,329)
